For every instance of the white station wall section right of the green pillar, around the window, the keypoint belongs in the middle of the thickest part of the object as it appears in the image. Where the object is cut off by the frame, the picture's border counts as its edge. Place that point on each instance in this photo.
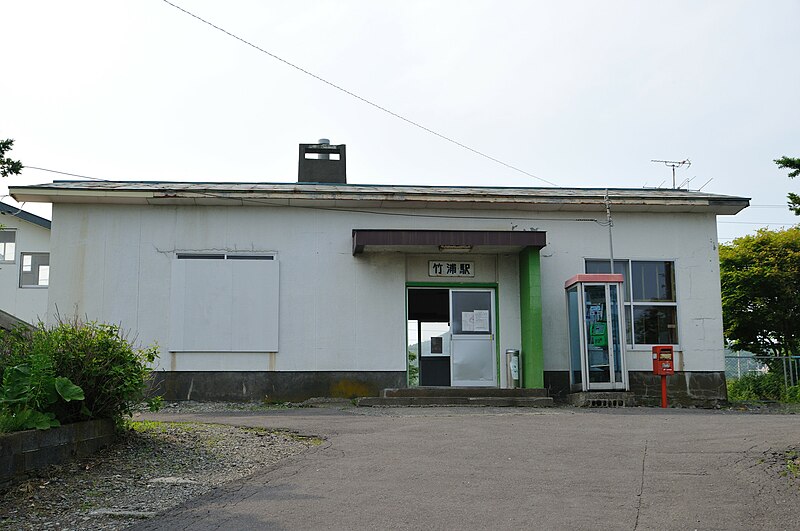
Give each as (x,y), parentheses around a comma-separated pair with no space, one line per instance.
(690,240)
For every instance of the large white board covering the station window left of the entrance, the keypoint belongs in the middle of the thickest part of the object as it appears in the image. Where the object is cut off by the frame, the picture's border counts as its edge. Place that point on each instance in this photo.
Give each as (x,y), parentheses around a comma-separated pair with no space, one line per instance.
(224,305)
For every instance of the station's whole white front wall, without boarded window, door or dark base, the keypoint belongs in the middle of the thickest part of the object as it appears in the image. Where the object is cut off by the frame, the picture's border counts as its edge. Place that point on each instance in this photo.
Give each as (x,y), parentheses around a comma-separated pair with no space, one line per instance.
(340,312)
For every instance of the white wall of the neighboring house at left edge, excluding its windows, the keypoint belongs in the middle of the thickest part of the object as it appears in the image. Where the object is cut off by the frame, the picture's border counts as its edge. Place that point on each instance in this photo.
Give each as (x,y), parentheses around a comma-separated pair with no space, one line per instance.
(30,303)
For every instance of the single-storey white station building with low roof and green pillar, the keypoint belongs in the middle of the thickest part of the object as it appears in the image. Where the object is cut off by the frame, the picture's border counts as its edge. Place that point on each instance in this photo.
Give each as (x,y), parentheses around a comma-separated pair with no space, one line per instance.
(310,289)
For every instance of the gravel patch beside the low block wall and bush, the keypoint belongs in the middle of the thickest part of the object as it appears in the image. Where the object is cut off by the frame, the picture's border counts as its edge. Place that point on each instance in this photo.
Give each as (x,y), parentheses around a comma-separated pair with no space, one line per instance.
(150,469)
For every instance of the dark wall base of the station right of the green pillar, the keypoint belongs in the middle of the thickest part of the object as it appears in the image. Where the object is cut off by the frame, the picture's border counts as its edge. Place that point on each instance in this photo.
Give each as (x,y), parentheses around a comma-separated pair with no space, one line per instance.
(702,389)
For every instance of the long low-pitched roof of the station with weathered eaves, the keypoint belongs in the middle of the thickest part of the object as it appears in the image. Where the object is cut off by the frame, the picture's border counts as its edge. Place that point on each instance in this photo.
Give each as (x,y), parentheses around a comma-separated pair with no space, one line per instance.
(381,196)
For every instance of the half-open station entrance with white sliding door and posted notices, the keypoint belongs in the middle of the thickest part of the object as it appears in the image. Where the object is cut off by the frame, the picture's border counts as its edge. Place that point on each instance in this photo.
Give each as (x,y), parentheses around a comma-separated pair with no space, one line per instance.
(451,337)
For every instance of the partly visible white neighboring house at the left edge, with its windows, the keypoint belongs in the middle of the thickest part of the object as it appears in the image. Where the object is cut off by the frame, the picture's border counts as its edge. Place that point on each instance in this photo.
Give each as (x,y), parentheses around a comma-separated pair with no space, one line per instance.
(24,263)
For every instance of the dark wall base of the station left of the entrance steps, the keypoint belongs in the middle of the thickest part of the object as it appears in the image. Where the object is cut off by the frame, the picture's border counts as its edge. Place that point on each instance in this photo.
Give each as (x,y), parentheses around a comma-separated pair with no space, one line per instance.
(247,386)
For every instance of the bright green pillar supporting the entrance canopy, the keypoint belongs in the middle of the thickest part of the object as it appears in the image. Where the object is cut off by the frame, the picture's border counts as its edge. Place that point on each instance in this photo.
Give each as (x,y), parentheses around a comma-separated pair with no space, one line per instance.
(530,306)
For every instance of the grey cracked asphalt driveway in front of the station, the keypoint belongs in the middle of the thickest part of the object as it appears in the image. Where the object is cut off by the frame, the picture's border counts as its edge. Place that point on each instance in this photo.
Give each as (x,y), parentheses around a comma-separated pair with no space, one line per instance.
(465,468)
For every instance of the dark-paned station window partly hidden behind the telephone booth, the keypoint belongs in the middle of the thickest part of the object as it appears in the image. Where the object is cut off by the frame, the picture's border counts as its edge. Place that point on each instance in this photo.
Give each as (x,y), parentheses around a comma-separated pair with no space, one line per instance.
(651,309)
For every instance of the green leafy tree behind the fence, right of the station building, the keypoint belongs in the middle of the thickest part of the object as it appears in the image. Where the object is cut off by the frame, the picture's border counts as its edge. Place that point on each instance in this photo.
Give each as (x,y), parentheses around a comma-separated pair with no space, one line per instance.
(760,277)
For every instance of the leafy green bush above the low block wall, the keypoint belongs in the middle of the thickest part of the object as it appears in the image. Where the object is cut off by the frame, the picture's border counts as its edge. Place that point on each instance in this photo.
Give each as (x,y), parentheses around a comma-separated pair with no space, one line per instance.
(94,358)
